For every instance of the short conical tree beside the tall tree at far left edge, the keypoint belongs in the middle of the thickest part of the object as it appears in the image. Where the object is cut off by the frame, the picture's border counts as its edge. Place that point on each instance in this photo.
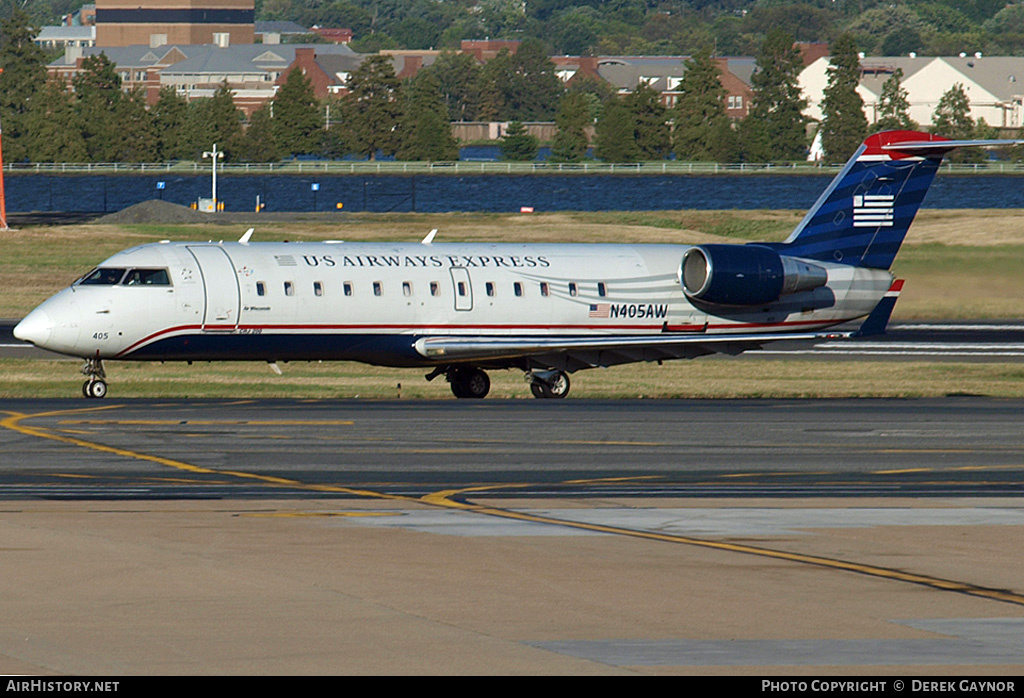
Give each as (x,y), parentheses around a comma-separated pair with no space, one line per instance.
(53,129)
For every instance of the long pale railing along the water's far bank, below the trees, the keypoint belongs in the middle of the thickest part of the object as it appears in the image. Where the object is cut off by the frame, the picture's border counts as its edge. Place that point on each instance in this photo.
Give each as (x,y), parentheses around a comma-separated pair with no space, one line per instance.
(343,167)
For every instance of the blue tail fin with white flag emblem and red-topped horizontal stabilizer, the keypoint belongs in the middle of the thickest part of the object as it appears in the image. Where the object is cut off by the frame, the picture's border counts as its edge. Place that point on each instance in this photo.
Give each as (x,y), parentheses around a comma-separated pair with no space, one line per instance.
(864,215)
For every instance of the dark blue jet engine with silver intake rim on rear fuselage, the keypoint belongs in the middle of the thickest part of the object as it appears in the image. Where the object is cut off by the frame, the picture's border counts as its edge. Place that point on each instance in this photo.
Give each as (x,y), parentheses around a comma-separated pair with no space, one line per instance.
(746,275)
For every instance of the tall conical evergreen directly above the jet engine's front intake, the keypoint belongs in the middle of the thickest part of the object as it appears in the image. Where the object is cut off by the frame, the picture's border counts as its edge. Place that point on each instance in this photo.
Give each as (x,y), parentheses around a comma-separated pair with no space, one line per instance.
(702,123)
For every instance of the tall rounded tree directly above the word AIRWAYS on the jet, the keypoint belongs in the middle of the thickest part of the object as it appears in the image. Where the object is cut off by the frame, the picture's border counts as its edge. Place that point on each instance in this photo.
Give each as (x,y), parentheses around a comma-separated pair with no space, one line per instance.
(374,99)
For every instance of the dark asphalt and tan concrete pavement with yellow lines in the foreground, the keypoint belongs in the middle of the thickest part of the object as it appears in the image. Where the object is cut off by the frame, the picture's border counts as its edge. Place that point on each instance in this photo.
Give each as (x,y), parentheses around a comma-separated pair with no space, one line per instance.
(735,537)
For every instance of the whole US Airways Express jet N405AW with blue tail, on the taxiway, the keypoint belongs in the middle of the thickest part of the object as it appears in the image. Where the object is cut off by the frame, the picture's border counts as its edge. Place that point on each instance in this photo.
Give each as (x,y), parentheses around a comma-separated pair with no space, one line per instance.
(462,310)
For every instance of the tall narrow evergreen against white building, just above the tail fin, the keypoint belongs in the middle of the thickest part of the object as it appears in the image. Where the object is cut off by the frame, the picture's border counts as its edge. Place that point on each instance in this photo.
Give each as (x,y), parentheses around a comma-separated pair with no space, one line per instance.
(844,125)
